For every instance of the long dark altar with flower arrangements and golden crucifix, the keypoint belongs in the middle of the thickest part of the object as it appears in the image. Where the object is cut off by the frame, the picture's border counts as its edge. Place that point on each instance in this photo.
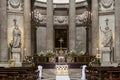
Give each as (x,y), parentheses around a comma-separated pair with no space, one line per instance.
(61,57)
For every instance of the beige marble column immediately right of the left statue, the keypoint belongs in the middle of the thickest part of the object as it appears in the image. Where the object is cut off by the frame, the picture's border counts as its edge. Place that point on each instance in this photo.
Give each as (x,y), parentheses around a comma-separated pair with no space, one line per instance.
(27,27)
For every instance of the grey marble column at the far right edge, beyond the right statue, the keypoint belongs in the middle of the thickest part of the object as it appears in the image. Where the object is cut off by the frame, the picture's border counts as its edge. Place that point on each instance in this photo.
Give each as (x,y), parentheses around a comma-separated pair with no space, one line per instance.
(117,31)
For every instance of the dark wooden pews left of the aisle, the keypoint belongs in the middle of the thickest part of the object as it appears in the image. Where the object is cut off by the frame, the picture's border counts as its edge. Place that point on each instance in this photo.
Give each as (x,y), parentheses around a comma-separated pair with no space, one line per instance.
(17,73)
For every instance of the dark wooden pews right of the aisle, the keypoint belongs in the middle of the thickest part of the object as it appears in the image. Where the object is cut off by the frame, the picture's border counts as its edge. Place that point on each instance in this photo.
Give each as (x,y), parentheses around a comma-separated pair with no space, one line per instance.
(103,73)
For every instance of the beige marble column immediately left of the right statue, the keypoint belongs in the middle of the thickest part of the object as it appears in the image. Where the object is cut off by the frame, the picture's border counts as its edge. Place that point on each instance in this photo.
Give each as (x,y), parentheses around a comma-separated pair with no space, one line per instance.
(95,27)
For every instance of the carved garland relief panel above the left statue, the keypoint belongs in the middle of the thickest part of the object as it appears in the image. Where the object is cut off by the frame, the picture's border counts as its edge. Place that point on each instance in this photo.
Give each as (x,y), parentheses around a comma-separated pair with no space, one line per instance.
(15,5)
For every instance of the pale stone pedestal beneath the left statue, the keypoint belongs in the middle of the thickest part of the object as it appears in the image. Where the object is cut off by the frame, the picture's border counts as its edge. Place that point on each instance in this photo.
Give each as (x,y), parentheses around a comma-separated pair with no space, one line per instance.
(16,54)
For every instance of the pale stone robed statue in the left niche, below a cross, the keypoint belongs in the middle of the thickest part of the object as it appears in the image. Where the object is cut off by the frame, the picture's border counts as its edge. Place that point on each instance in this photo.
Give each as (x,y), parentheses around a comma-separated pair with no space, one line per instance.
(16,36)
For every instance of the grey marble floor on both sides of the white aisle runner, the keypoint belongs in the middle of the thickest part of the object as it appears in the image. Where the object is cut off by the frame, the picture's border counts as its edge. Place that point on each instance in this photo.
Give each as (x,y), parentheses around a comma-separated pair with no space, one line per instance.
(49,74)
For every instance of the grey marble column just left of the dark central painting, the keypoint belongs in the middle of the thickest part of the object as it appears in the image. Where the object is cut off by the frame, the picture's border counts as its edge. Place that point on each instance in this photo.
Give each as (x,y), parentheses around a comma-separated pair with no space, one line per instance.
(49,25)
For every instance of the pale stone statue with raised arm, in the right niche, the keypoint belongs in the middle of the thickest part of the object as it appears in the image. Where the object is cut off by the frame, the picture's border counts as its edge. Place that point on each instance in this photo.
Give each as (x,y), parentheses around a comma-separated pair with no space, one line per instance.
(107,39)
